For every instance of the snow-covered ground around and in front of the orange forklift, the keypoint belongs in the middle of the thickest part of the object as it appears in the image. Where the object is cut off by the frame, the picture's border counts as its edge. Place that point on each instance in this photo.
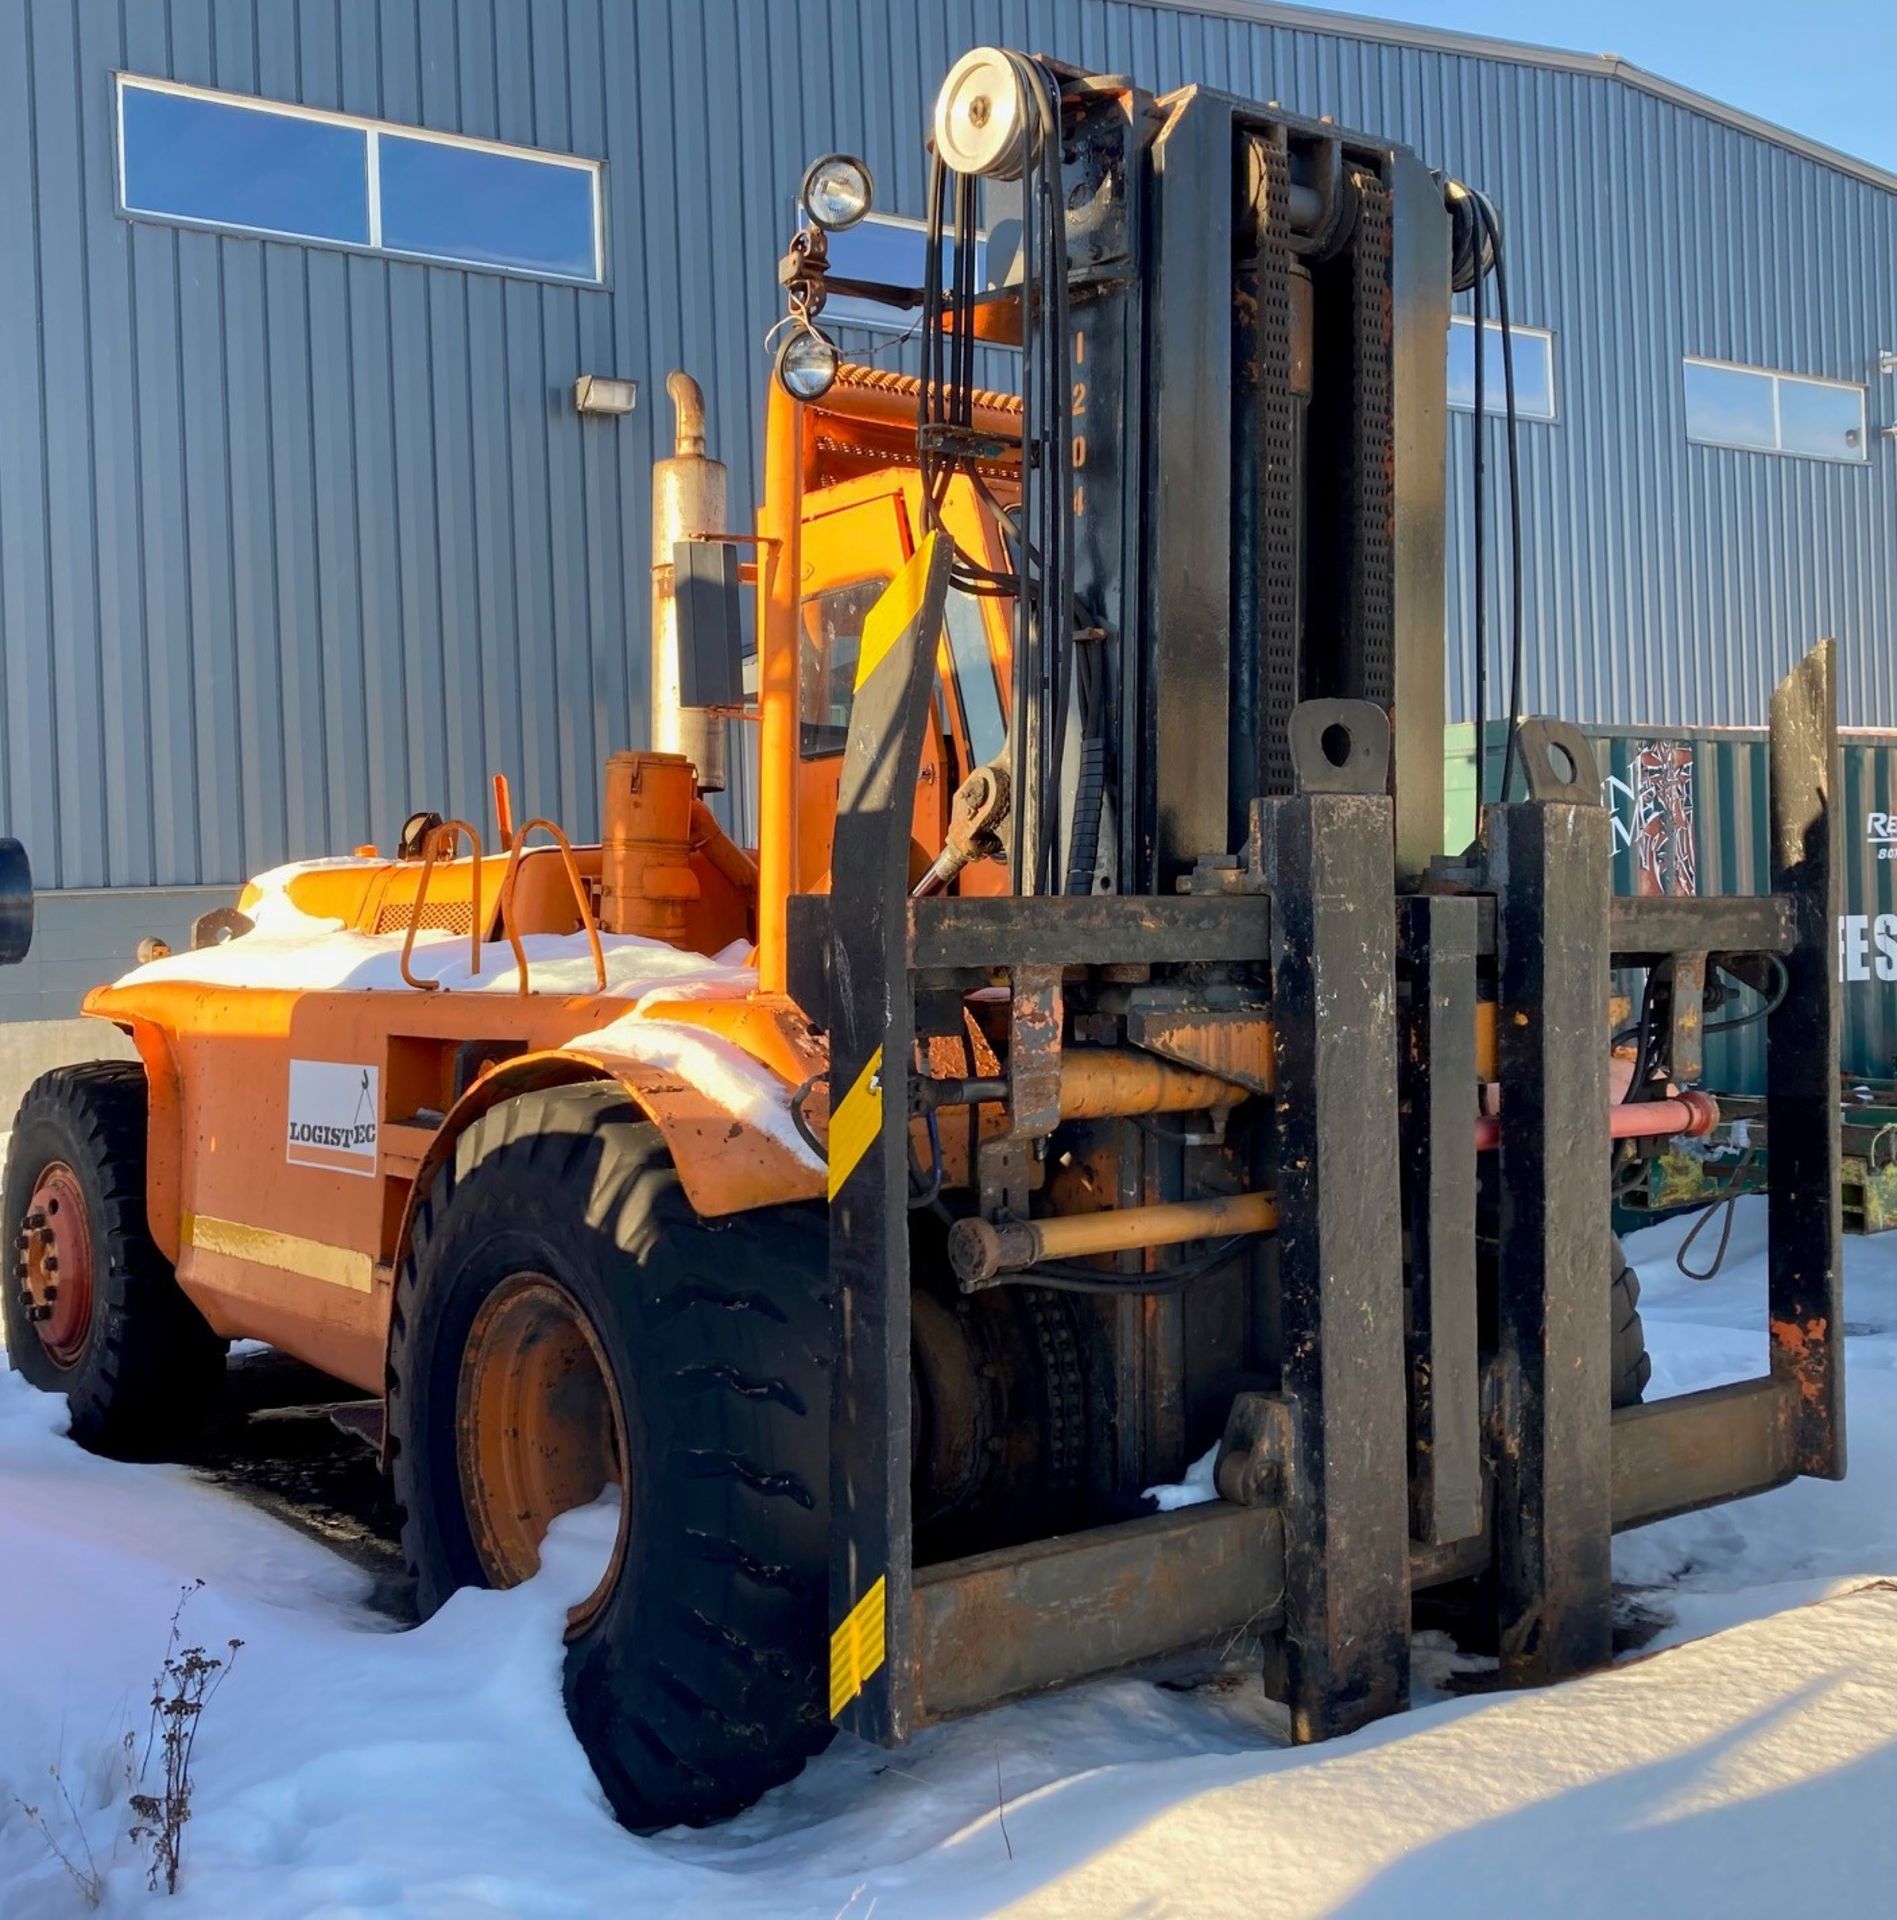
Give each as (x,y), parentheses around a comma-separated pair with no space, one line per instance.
(350,1769)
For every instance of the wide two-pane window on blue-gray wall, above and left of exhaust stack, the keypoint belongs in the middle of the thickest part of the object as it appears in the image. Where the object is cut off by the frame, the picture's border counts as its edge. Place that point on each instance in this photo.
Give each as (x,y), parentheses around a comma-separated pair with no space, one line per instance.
(256,166)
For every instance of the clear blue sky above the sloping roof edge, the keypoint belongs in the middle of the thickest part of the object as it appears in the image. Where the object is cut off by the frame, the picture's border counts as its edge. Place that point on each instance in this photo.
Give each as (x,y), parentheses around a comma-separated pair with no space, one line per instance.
(1827,68)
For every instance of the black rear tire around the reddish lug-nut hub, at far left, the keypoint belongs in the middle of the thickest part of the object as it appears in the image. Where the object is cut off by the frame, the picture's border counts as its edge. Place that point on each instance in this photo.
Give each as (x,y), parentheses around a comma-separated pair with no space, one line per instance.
(149,1370)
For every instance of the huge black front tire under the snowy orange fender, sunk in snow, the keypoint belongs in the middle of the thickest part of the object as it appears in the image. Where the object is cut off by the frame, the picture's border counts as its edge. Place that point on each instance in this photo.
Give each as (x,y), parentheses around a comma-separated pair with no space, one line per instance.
(696,1687)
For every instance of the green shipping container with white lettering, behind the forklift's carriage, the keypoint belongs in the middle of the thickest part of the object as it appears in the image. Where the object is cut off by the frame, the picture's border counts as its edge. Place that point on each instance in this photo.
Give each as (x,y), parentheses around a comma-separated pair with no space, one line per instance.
(1691,817)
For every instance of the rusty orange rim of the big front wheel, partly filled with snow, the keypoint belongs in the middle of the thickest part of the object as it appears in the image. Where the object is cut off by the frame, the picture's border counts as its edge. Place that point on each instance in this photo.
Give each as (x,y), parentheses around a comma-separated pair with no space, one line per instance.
(539,1431)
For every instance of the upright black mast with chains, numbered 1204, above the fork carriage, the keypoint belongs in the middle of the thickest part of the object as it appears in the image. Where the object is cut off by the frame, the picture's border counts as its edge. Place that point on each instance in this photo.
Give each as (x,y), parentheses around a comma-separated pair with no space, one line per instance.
(1245,425)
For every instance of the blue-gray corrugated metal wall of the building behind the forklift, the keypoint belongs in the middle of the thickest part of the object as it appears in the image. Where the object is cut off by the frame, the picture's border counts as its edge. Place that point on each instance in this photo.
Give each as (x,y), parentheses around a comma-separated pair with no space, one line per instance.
(295,540)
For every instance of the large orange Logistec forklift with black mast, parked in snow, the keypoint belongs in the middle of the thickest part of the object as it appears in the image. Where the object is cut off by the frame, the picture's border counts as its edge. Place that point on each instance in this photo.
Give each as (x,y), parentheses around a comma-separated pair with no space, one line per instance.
(1099,1061)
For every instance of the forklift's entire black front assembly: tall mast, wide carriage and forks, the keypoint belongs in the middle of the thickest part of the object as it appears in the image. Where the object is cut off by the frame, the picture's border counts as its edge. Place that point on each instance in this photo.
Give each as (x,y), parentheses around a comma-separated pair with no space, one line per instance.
(1226,873)
